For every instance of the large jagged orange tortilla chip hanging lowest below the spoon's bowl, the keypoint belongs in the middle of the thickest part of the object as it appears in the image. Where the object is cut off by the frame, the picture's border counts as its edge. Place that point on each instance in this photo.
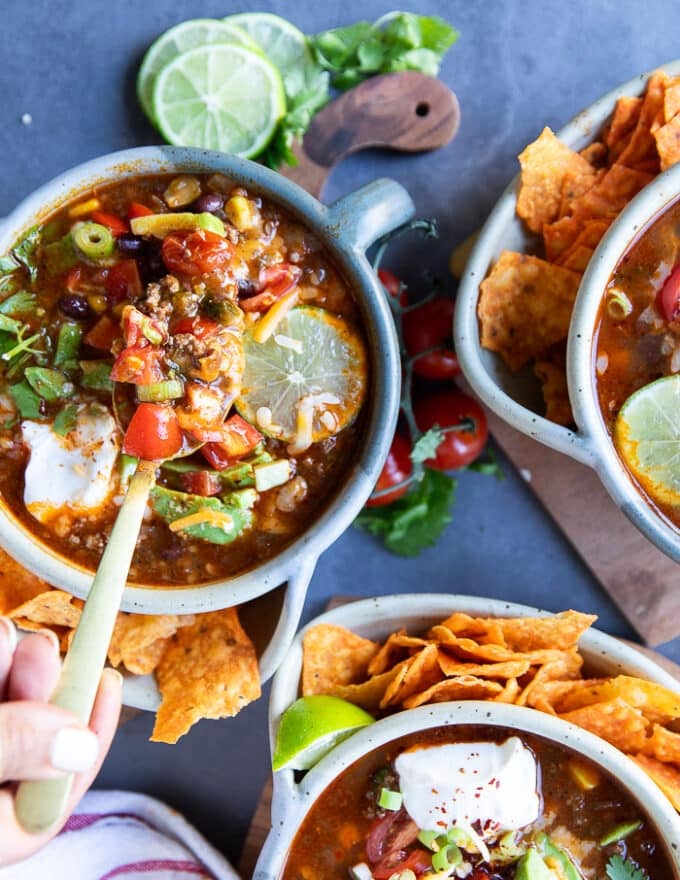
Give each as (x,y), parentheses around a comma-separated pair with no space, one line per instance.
(208,670)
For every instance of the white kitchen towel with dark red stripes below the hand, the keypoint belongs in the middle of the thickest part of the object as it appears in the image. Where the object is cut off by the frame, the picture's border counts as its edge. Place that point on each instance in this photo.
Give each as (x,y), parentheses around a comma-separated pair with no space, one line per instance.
(119,834)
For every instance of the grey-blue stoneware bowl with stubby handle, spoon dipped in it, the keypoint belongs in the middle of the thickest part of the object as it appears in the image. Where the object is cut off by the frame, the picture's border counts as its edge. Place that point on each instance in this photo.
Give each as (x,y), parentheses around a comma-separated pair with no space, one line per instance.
(346,229)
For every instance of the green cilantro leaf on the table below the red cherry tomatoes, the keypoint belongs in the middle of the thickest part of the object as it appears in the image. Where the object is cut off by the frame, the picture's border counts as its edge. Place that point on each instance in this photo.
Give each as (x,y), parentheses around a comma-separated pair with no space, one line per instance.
(415,521)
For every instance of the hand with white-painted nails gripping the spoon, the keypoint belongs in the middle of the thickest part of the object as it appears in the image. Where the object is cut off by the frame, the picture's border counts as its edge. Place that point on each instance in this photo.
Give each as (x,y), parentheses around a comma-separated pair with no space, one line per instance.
(40,741)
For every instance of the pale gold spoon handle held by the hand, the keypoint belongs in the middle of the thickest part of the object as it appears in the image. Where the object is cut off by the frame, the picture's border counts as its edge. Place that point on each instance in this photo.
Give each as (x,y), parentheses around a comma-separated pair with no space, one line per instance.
(40,805)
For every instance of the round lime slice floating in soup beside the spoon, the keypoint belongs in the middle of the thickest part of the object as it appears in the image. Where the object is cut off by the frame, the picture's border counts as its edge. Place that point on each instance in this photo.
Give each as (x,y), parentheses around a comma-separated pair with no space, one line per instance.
(312,354)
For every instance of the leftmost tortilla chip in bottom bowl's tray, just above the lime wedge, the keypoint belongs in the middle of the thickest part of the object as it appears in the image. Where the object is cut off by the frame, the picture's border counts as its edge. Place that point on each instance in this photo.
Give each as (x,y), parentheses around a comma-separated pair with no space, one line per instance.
(332,655)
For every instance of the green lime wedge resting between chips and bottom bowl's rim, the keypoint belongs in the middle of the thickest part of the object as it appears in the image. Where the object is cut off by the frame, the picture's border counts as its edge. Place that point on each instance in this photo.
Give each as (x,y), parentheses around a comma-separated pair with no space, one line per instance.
(311,727)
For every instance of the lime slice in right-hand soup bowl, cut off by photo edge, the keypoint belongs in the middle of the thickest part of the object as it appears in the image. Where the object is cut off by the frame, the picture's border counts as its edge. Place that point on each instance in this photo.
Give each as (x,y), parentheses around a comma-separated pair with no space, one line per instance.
(647,435)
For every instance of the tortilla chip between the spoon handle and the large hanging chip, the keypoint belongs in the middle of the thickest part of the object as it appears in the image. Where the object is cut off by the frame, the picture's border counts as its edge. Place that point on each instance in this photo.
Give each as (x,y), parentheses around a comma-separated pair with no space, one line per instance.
(134,634)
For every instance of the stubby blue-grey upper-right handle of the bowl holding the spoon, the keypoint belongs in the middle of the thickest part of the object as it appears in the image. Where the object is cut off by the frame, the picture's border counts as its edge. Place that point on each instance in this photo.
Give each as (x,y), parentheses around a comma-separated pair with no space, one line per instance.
(369,212)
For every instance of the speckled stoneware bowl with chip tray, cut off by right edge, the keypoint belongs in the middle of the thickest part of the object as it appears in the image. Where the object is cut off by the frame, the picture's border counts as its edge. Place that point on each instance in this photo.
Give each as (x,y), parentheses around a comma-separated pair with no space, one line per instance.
(516,398)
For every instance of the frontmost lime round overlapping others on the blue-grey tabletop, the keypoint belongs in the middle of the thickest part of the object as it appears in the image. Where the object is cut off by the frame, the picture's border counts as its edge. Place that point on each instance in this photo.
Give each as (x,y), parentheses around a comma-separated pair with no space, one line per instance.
(219,97)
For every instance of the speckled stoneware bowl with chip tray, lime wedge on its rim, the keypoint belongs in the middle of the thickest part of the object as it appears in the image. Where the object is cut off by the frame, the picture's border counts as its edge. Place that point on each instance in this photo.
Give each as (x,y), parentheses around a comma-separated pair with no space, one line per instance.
(375,619)
